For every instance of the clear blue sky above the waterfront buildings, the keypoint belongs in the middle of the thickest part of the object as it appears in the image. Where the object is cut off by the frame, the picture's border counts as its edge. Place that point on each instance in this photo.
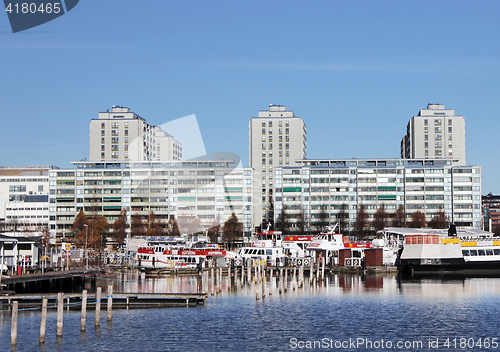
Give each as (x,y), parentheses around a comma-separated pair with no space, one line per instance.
(355,71)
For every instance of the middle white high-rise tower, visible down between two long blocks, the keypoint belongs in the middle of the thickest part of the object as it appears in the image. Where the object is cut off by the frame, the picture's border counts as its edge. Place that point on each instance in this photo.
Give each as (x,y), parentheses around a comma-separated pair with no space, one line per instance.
(277,139)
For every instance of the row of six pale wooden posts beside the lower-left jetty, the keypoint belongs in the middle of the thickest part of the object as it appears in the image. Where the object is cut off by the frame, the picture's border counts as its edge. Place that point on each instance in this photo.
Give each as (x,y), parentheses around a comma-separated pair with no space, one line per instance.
(60,308)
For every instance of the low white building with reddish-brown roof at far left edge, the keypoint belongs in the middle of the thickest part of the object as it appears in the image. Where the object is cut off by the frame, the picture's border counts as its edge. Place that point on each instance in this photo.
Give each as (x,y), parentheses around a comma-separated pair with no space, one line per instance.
(24,203)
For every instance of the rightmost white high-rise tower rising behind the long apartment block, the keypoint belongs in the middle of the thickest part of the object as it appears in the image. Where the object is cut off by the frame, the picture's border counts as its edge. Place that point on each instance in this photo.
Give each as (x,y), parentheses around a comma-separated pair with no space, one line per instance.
(435,133)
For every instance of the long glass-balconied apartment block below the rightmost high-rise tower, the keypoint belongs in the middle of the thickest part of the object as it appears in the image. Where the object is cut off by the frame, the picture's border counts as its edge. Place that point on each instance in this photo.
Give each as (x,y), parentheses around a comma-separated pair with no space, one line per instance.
(340,186)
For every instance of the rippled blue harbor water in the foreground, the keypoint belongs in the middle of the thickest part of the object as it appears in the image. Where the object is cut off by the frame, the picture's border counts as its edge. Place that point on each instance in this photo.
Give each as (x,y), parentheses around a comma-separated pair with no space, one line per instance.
(347,312)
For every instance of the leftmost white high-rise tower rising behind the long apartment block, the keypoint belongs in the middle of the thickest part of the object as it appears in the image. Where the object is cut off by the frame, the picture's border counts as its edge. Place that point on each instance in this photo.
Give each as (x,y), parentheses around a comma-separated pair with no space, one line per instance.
(123,135)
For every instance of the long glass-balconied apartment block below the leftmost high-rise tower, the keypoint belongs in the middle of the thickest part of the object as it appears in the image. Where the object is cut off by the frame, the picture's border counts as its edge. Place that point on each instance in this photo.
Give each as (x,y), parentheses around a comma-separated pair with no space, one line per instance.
(207,190)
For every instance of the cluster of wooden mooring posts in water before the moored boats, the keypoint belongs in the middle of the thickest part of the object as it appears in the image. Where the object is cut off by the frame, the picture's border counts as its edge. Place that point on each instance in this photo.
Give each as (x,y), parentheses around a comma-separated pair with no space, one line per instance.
(260,273)
